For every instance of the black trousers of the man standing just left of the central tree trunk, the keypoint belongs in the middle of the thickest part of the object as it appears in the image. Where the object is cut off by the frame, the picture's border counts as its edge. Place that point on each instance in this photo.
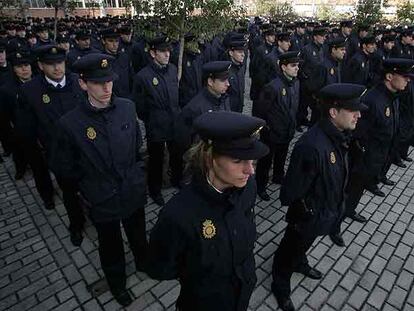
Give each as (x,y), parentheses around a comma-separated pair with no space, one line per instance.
(156,163)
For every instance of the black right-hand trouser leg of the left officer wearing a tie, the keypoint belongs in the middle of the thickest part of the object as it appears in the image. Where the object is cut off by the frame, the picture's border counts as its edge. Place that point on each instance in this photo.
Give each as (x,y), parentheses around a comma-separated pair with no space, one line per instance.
(71,202)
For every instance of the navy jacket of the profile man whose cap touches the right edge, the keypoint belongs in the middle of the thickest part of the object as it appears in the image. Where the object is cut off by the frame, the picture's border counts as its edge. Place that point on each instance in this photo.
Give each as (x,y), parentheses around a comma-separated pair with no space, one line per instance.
(377,129)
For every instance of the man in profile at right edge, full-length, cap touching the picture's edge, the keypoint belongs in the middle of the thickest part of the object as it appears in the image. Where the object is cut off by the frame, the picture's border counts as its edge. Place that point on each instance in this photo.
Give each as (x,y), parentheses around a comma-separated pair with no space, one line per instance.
(376,134)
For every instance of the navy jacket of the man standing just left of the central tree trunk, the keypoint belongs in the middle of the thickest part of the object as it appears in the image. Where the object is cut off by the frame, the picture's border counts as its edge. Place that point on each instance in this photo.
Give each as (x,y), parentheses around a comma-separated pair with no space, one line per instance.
(155,93)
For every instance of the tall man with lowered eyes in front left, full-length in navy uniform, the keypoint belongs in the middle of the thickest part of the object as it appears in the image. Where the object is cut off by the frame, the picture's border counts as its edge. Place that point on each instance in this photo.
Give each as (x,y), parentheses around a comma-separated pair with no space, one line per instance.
(99,147)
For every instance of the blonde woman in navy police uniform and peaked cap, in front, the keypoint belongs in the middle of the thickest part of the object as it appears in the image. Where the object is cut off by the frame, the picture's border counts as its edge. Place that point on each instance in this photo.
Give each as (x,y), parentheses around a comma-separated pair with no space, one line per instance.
(205,234)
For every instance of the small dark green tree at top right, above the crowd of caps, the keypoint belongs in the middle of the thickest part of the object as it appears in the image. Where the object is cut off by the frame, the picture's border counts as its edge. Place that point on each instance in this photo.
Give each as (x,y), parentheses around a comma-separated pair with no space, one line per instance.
(369,11)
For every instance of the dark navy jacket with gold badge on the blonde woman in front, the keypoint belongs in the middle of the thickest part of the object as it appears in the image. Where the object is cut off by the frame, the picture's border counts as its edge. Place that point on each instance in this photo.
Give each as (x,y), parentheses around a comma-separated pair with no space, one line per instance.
(215,267)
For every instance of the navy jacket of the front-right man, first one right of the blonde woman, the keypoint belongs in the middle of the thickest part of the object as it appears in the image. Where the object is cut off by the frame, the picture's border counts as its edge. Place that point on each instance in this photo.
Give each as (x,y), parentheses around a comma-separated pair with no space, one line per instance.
(314,186)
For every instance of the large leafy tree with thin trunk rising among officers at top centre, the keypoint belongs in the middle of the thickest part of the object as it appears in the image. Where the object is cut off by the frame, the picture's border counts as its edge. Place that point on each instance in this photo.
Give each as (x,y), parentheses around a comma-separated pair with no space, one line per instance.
(178,17)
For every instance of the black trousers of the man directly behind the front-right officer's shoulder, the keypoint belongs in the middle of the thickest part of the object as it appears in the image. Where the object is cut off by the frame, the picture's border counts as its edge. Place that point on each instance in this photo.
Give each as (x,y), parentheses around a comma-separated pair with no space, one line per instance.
(277,154)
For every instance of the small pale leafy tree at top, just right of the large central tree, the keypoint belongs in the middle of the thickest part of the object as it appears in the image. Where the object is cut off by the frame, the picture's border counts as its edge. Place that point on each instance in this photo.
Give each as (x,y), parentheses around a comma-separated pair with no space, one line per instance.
(283,11)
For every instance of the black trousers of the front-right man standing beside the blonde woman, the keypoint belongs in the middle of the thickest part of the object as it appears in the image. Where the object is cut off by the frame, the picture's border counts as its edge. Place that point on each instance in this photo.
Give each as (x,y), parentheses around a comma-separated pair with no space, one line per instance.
(290,255)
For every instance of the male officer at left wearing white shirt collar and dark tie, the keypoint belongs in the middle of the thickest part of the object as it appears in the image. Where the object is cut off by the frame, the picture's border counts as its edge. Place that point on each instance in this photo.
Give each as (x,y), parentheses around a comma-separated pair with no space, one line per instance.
(41,103)
